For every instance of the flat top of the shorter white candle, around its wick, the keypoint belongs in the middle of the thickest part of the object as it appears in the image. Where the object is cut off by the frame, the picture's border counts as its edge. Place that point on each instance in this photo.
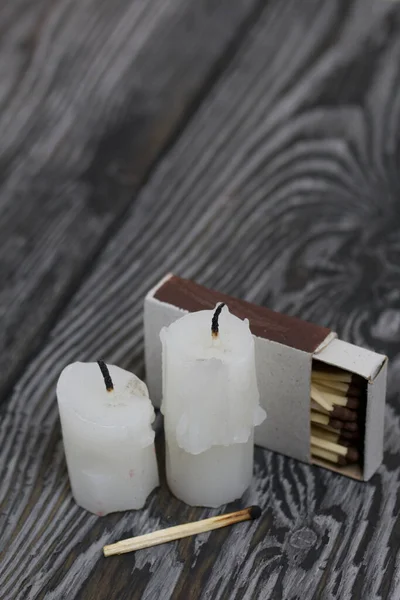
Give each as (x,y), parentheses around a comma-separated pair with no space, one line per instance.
(81,389)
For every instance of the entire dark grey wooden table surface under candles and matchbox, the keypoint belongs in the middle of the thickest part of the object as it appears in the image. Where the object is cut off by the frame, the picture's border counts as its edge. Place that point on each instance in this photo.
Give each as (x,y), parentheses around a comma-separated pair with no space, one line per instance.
(253,146)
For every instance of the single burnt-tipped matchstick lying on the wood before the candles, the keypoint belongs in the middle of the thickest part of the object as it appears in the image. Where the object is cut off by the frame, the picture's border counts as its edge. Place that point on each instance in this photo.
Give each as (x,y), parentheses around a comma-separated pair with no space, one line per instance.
(181,531)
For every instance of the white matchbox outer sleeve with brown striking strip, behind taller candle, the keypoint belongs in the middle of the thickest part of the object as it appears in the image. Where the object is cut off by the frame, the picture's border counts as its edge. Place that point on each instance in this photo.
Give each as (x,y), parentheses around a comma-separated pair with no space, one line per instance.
(283,346)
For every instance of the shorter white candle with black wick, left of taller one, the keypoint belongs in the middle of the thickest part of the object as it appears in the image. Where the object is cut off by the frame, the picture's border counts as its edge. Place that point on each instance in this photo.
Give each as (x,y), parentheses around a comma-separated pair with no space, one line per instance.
(108,438)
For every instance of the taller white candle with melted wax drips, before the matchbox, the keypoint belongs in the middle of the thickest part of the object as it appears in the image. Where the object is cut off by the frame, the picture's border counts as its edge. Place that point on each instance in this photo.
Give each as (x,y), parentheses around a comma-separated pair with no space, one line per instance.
(210,406)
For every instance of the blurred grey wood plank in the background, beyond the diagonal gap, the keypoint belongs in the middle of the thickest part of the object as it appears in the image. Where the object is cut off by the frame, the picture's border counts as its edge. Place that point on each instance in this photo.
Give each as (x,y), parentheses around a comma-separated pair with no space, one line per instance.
(91,93)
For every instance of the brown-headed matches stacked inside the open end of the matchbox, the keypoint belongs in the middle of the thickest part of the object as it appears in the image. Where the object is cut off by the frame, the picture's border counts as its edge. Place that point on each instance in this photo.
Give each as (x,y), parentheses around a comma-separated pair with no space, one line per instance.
(338,412)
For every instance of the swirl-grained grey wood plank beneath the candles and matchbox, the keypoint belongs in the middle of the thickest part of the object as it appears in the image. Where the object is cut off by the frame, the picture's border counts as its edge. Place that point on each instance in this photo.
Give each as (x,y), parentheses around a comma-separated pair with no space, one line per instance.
(282,189)
